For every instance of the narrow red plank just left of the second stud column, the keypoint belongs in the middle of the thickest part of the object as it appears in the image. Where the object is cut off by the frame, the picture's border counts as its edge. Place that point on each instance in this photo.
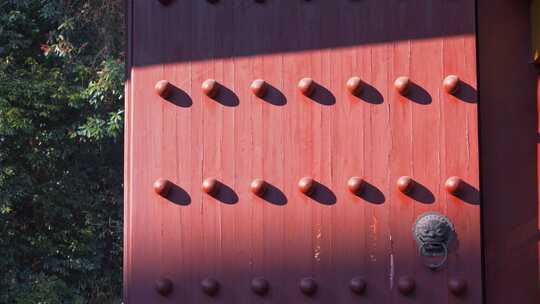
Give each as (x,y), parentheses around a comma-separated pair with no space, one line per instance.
(202,217)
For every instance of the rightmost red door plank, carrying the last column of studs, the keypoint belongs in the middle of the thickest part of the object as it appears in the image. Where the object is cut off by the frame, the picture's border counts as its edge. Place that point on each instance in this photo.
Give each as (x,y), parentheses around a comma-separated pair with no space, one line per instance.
(461,151)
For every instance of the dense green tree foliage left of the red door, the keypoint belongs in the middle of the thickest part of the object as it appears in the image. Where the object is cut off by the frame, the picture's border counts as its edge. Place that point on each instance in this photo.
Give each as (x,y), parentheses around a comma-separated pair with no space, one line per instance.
(61,120)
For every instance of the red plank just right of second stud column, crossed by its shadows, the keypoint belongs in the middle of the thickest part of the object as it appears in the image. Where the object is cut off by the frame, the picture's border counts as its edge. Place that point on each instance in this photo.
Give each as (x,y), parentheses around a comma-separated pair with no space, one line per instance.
(230,209)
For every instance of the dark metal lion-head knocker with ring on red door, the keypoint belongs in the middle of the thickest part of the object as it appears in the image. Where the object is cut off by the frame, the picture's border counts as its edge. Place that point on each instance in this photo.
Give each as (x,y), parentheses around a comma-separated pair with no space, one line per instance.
(433,233)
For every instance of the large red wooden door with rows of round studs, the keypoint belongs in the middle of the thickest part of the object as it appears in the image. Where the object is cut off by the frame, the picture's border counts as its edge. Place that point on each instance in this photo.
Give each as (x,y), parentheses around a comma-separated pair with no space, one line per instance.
(182,237)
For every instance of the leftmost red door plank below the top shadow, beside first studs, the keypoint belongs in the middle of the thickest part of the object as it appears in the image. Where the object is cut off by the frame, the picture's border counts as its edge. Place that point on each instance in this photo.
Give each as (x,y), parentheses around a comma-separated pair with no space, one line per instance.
(146,168)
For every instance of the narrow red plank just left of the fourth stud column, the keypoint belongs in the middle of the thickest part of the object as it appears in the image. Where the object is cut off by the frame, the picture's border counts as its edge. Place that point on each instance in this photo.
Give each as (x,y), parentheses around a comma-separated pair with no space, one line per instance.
(299,157)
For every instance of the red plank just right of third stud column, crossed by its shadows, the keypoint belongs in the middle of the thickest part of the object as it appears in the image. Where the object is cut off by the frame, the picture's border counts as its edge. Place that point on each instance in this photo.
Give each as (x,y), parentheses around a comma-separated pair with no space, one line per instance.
(273,131)
